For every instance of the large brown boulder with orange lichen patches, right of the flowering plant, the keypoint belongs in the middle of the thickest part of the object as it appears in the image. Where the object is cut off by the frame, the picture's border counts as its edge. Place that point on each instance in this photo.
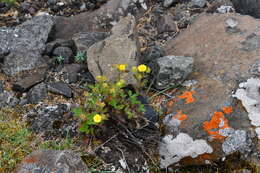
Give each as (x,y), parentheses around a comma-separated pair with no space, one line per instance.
(221,62)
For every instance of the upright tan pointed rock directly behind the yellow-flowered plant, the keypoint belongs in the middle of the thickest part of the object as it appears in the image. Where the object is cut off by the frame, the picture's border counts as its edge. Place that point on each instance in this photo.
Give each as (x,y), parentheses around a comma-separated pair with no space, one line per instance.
(119,48)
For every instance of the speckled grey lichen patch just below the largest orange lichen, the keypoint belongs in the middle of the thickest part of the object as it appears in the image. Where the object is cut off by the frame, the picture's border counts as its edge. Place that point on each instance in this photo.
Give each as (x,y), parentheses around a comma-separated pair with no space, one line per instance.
(237,141)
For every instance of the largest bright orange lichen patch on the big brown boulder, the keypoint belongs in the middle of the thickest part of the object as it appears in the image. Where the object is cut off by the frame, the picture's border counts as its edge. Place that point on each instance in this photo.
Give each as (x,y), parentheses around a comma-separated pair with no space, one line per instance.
(217,122)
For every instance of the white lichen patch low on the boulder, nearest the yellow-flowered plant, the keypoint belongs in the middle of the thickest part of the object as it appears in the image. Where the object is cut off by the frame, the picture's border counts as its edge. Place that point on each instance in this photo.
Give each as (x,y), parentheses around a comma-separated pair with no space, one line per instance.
(172,150)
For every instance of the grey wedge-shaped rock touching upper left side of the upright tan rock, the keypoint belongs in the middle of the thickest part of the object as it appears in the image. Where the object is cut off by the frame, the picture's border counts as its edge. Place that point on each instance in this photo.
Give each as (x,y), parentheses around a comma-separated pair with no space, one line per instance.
(84,40)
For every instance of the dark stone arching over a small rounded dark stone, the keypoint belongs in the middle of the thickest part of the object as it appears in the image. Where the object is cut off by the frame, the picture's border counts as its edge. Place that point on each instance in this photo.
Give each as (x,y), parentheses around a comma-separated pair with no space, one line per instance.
(60,43)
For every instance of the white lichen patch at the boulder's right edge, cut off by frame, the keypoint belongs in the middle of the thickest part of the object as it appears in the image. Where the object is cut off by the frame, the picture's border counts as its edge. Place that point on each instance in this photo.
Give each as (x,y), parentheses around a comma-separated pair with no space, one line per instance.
(248,93)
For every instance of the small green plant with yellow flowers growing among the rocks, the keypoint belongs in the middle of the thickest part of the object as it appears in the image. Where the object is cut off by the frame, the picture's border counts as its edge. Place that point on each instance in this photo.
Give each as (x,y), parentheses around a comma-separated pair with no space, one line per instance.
(110,98)
